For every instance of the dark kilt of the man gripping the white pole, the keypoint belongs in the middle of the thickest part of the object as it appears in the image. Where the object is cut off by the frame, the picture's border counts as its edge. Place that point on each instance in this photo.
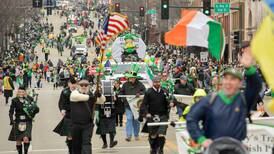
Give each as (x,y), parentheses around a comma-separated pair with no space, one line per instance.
(156,130)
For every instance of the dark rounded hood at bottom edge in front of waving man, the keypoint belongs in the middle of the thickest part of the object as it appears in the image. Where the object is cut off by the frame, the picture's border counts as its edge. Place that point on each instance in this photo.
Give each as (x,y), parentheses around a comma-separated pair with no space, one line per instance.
(226,145)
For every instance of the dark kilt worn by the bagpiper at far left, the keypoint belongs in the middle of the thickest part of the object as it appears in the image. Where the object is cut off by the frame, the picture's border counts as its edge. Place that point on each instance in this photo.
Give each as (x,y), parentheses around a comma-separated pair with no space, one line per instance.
(17,135)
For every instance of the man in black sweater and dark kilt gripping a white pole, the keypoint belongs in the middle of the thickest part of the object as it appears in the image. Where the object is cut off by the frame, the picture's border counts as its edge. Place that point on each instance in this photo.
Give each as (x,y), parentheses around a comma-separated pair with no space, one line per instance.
(156,107)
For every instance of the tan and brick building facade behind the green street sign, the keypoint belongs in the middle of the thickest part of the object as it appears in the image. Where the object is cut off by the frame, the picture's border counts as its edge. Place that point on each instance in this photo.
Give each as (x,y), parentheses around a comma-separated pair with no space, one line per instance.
(244,17)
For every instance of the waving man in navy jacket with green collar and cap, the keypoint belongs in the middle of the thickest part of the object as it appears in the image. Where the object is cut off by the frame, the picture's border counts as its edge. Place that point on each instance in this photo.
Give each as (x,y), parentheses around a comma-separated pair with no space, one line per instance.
(223,114)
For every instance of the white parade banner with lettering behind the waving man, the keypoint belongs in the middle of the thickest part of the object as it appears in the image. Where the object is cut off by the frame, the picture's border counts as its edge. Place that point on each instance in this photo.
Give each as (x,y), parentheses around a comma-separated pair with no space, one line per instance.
(260,137)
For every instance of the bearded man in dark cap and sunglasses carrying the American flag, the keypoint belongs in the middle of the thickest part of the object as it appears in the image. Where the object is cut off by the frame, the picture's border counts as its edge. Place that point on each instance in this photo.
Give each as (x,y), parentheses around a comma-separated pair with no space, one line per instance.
(82,108)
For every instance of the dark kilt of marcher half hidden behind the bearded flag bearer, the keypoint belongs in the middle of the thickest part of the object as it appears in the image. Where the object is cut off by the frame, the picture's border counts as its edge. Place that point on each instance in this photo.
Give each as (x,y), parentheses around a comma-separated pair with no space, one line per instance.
(64,127)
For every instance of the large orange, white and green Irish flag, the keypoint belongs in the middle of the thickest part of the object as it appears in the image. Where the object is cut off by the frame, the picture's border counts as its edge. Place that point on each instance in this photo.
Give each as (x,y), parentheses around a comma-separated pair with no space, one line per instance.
(197,29)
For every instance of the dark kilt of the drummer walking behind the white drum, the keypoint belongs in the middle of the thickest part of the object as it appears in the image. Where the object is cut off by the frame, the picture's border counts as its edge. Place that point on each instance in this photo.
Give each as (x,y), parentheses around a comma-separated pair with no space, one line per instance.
(106,125)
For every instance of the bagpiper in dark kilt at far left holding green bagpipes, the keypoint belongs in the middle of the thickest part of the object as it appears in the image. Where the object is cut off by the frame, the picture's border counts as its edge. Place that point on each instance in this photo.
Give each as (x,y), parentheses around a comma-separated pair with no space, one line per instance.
(23,108)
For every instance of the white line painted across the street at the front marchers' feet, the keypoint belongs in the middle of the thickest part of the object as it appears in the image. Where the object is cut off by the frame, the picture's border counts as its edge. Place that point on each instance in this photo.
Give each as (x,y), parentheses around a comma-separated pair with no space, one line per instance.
(55,150)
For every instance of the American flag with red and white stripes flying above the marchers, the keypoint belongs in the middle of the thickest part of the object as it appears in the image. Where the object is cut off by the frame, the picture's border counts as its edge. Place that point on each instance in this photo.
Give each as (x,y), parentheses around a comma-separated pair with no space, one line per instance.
(113,25)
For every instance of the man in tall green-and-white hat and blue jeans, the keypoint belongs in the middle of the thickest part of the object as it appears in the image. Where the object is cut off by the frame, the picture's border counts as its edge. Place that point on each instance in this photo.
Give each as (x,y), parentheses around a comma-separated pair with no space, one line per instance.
(132,87)
